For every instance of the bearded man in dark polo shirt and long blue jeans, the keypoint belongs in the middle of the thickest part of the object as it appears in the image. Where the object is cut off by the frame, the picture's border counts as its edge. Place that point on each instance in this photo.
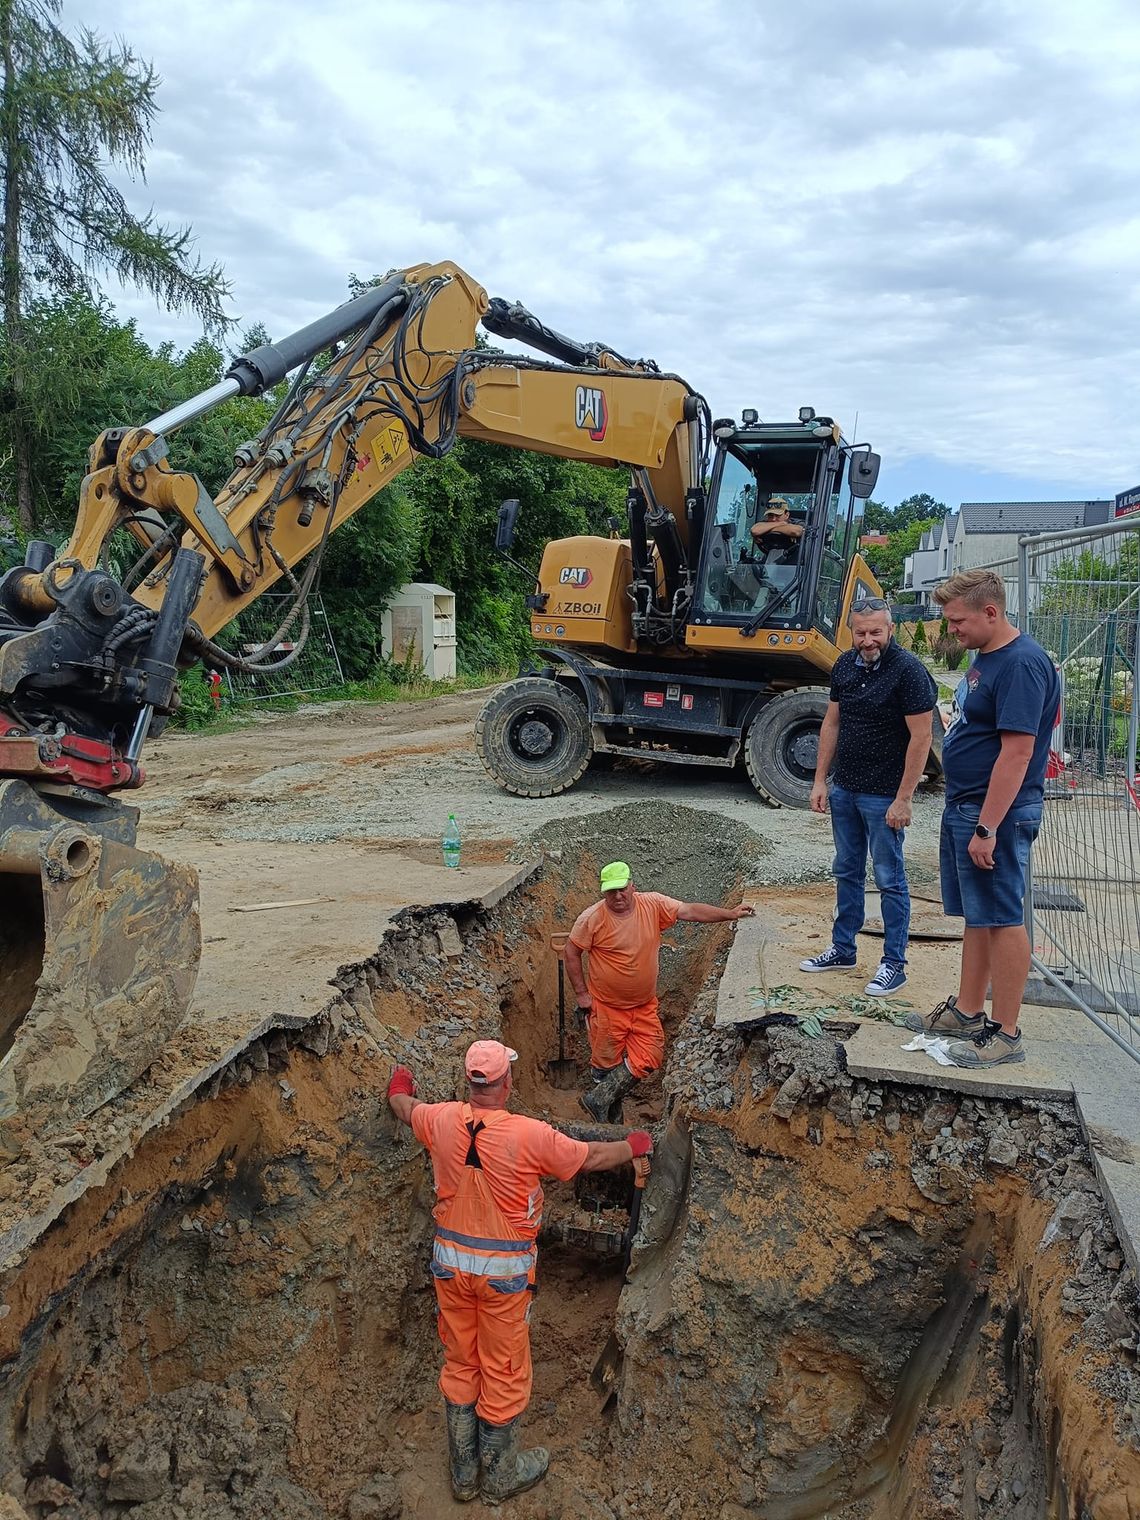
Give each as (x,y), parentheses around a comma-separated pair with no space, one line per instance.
(878,733)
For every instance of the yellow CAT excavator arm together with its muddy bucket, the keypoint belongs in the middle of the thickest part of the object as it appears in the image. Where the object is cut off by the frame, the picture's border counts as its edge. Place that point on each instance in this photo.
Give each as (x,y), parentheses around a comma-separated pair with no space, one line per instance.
(100,951)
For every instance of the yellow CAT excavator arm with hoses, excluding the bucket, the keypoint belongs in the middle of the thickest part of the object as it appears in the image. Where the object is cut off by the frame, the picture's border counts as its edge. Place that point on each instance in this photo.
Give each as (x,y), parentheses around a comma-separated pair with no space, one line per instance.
(405,382)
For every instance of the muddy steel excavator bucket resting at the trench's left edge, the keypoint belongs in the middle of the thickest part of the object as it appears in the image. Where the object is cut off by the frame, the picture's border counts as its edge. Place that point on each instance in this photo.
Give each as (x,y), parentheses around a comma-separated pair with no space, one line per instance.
(100,951)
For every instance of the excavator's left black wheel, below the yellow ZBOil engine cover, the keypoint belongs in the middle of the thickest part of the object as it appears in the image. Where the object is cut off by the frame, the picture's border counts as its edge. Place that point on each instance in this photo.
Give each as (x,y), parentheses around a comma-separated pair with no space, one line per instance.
(534,738)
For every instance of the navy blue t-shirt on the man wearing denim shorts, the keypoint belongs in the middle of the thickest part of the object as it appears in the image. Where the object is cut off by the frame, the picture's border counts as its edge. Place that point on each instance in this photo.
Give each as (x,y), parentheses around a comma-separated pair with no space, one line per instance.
(1015,689)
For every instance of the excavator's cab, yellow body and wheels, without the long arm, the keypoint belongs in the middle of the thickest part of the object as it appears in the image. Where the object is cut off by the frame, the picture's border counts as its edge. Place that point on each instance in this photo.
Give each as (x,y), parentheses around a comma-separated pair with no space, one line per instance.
(712,627)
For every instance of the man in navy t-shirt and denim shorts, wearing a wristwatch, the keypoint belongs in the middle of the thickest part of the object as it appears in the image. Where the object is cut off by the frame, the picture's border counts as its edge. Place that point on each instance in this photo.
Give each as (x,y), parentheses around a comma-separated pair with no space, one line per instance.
(995,761)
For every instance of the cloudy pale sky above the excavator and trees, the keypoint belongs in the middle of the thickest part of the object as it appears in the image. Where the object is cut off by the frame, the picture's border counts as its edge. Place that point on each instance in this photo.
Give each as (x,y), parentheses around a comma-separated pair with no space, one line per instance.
(922,217)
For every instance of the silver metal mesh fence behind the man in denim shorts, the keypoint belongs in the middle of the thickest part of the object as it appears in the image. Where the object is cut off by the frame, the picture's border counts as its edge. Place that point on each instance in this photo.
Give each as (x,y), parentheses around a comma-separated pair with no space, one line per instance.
(1078,595)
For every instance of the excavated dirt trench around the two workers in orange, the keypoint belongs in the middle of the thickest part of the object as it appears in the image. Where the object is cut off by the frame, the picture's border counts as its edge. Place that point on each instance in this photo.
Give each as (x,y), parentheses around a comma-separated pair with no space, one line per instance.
(846,1300)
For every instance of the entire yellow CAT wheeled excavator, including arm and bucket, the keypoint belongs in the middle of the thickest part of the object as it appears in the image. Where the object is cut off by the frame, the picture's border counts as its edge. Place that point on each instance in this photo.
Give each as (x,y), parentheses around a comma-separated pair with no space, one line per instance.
(676,638)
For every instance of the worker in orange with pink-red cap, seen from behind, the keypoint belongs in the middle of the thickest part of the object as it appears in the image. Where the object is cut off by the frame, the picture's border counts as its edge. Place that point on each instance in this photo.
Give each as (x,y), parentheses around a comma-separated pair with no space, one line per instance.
(489,1168)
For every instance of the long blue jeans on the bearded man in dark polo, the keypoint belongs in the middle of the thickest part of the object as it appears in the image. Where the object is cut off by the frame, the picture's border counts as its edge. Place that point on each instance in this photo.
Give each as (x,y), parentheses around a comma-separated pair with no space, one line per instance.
(860,825)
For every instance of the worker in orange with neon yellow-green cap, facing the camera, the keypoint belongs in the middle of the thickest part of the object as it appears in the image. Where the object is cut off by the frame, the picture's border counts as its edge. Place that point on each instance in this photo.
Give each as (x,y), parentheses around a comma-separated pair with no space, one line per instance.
(622,936)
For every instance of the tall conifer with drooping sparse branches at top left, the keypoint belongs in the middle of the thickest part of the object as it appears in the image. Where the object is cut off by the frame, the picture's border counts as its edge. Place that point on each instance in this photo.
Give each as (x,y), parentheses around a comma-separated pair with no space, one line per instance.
(69,109)
